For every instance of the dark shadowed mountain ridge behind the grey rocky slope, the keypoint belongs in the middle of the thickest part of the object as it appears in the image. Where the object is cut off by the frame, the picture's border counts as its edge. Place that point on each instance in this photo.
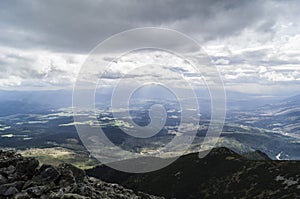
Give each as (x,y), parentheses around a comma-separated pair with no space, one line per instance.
(221,174)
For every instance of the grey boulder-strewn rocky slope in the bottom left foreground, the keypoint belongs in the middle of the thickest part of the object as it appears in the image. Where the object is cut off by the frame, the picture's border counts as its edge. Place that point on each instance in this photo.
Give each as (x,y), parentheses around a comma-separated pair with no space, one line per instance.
(22,178)
